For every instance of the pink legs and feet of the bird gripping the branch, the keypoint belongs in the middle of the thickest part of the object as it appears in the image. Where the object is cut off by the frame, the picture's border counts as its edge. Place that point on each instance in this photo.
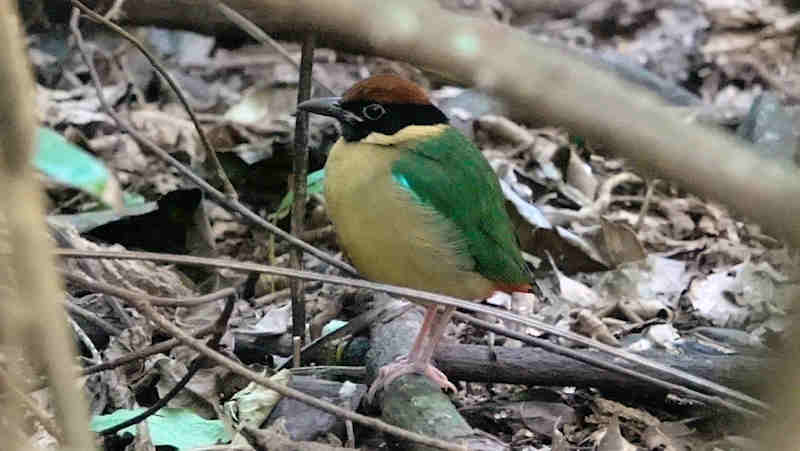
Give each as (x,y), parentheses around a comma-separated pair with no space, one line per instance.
(419,360)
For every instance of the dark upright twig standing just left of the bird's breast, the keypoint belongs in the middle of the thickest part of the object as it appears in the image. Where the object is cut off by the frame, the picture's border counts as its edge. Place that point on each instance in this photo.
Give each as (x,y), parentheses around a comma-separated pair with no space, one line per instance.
(299,172)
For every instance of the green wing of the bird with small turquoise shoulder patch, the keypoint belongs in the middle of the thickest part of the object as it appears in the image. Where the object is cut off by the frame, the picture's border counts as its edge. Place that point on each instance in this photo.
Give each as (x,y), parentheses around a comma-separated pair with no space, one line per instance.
(450,174)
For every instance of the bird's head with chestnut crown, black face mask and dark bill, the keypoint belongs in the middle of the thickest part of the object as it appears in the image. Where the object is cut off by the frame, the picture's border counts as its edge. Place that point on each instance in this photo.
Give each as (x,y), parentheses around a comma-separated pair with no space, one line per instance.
(382,104)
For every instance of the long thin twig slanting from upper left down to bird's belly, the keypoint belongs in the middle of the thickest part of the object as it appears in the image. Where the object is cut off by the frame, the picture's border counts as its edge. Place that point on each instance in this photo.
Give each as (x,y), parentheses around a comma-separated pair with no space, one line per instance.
(231,205)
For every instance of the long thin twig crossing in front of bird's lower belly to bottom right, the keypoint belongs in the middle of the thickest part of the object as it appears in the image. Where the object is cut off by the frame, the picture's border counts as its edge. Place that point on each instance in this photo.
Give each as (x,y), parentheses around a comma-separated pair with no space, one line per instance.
(699,383)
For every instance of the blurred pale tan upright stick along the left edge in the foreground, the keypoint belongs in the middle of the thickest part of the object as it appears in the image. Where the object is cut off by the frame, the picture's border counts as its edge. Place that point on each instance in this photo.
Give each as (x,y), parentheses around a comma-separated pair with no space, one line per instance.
(33,325)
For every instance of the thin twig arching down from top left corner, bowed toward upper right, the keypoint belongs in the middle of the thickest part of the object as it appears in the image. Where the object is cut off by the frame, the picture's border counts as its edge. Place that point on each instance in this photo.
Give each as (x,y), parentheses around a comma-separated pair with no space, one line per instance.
(210,150)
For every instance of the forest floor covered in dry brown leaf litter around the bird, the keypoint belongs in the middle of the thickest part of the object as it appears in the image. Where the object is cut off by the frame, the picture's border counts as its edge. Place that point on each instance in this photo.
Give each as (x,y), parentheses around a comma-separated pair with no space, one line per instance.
(685,277)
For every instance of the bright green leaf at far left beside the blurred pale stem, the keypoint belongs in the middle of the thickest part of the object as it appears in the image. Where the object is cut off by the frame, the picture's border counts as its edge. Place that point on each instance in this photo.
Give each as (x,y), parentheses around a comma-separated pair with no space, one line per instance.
(67,163)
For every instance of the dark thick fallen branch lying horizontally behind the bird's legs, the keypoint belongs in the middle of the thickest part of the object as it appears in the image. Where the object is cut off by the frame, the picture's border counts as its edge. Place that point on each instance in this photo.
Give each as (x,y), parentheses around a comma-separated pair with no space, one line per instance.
(538,366)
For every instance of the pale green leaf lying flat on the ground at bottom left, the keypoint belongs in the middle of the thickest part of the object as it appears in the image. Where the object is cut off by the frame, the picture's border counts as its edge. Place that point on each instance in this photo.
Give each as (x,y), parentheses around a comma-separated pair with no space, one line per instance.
(180,428)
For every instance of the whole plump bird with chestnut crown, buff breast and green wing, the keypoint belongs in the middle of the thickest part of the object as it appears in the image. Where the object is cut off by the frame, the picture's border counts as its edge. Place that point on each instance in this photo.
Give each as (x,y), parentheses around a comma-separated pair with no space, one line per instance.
(414,203)
